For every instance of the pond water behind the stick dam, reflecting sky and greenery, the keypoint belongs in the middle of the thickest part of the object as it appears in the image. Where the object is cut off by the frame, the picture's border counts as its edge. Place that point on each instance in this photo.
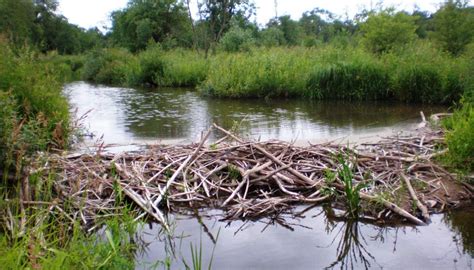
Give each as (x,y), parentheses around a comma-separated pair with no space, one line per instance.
(124,115)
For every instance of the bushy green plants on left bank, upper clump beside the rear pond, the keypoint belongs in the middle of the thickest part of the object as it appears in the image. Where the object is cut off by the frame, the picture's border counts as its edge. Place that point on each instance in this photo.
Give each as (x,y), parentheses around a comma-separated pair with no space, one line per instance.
(34,114)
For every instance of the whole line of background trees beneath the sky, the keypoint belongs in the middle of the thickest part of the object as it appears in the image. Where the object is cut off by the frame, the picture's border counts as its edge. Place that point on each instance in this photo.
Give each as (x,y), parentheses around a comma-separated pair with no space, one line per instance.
(230,25)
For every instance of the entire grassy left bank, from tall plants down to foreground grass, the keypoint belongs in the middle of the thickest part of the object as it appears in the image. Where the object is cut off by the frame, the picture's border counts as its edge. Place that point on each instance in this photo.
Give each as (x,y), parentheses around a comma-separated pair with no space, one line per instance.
(34,117)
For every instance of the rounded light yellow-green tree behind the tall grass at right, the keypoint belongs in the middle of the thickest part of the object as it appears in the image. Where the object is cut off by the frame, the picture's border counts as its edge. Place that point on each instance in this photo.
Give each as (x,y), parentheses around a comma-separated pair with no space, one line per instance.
(386,30)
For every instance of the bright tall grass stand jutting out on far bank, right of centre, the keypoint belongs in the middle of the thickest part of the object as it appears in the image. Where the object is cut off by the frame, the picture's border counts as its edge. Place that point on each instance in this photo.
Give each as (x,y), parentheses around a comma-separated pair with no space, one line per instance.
(419,74)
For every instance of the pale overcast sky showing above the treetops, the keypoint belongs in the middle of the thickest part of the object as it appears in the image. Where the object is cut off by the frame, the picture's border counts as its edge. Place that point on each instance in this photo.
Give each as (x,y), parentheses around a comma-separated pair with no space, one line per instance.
(90,13)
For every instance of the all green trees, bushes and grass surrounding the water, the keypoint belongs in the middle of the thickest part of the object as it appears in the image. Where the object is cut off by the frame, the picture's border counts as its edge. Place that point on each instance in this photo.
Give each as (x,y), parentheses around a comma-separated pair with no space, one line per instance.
(380,54)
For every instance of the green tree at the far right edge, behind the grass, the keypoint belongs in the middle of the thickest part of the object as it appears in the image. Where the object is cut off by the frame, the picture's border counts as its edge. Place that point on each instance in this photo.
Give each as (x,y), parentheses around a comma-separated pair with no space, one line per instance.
(454,25)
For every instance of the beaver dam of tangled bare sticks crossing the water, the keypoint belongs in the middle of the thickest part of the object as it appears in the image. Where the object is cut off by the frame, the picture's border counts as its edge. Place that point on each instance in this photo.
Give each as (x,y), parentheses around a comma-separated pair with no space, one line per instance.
(395,179)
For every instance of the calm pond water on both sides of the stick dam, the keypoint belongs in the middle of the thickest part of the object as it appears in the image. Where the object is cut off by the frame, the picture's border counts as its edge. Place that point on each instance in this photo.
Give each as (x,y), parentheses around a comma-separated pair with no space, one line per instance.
(125,116)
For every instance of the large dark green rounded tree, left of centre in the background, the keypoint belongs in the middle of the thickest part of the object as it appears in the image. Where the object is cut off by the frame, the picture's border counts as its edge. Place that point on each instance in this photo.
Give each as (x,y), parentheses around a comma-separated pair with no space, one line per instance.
(151,20)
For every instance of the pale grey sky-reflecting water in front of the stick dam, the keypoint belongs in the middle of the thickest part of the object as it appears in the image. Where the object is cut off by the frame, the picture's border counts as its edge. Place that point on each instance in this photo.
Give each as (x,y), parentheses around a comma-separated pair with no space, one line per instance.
(313,242)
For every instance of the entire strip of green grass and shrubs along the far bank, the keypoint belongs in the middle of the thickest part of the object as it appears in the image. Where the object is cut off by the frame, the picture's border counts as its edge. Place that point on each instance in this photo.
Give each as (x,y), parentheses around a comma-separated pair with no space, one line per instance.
(420,73)
